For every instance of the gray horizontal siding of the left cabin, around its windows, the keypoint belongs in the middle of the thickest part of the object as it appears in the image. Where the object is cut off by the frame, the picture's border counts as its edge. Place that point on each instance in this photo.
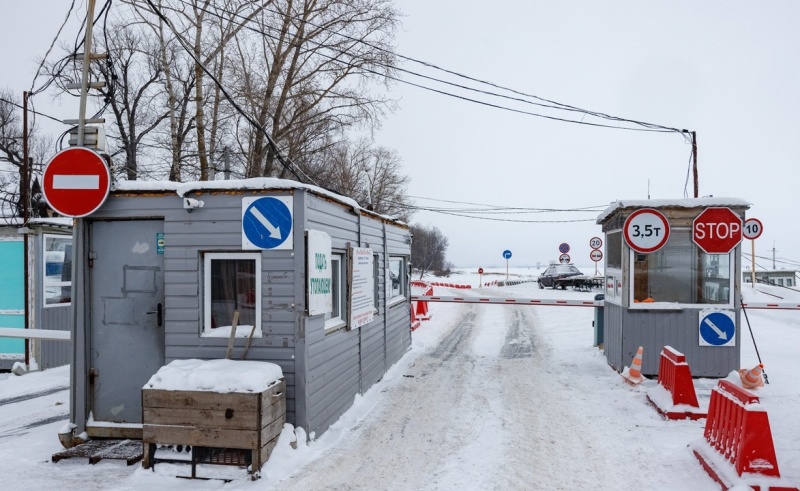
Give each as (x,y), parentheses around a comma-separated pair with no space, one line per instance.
(323,371)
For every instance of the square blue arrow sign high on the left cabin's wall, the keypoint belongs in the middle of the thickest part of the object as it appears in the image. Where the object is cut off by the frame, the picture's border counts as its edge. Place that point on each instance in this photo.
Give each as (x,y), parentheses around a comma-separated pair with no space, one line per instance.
(267,223)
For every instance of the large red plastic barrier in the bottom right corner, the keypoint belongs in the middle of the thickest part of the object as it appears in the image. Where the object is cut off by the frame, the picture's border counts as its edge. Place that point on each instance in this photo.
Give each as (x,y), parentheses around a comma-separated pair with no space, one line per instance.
(737,447)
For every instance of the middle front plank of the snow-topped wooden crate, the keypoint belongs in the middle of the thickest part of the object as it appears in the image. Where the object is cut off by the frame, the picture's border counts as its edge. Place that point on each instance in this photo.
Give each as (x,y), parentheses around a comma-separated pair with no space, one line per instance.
(207,418)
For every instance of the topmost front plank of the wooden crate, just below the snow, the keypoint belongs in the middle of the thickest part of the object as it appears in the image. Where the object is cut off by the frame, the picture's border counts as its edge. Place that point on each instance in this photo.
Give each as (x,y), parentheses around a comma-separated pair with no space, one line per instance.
(199,399)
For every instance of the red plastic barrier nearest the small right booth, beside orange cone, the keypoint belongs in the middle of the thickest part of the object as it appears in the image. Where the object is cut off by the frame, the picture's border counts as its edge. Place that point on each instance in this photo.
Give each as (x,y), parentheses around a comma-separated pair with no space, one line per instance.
(675,377)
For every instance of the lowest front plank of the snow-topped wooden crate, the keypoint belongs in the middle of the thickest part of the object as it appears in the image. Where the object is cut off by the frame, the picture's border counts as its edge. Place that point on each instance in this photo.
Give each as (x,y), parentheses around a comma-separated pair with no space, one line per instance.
(204,437)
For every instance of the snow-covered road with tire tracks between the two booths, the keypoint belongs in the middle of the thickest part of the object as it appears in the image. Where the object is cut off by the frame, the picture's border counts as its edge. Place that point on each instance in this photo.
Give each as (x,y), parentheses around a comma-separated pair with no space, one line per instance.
(490,406)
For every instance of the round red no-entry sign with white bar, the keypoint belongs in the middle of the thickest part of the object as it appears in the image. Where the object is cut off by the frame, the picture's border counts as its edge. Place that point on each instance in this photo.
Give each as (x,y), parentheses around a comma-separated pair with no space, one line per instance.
(76,182)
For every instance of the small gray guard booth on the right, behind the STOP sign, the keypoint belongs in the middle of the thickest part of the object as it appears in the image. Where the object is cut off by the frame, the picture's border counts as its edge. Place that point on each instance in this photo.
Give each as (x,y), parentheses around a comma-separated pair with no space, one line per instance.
(661,298)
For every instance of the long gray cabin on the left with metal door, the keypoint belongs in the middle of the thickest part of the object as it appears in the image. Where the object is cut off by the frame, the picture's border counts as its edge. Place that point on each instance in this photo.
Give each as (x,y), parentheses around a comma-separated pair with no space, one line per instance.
(161,266)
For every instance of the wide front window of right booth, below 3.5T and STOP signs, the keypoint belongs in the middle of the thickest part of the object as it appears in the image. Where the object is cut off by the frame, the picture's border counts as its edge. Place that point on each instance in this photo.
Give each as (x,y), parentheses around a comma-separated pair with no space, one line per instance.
(680,272)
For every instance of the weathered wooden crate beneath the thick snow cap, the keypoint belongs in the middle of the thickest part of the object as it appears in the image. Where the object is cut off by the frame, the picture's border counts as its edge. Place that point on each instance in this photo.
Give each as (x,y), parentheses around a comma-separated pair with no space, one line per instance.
(238,420)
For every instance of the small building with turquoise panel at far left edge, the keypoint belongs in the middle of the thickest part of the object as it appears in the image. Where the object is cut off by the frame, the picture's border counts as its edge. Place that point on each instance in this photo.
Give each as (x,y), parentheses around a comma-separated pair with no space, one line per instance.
(35,291)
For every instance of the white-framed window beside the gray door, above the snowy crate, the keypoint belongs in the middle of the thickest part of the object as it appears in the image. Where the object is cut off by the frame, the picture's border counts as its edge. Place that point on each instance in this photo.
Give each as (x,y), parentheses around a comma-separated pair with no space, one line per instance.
(232,282)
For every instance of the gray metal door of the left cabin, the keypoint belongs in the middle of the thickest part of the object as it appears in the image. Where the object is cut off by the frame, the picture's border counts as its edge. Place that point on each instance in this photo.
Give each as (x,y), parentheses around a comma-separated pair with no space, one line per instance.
(126,315)
